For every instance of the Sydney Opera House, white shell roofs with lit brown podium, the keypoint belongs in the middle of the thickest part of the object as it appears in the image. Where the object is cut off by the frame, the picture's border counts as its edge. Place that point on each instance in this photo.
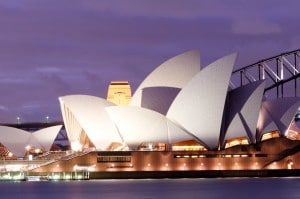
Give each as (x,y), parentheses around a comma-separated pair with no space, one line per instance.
(182,118)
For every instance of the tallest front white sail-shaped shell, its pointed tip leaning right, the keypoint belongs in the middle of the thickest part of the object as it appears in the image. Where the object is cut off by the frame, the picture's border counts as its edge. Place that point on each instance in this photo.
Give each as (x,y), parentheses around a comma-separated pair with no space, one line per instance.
(199,105)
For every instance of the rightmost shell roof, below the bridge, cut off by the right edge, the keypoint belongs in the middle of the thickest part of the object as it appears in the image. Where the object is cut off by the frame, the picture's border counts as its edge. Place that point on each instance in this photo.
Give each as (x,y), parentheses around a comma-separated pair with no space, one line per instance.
(277,114)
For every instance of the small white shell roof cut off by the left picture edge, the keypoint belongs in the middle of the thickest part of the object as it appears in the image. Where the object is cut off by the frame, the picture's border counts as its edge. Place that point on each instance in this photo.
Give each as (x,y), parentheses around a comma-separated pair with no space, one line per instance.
(15,140)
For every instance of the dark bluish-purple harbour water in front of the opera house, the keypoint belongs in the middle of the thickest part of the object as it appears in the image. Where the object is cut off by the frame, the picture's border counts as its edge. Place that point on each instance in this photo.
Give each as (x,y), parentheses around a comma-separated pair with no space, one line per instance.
(244,188)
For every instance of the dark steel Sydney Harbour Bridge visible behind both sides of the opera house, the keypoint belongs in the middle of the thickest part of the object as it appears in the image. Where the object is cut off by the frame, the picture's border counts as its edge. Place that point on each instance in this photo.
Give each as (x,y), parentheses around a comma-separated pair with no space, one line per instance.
(280,72)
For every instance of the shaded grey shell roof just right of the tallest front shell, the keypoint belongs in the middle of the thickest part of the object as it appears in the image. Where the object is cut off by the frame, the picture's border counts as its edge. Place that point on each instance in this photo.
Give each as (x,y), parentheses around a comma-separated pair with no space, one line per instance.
(243,111)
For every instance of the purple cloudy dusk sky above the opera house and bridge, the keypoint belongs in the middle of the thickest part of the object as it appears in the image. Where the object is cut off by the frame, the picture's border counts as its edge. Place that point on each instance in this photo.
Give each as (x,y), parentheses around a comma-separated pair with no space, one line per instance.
(50,48)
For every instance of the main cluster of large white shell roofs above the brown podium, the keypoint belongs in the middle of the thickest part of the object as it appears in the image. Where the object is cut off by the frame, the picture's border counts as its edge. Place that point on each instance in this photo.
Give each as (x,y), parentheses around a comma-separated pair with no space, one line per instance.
(196,106)
